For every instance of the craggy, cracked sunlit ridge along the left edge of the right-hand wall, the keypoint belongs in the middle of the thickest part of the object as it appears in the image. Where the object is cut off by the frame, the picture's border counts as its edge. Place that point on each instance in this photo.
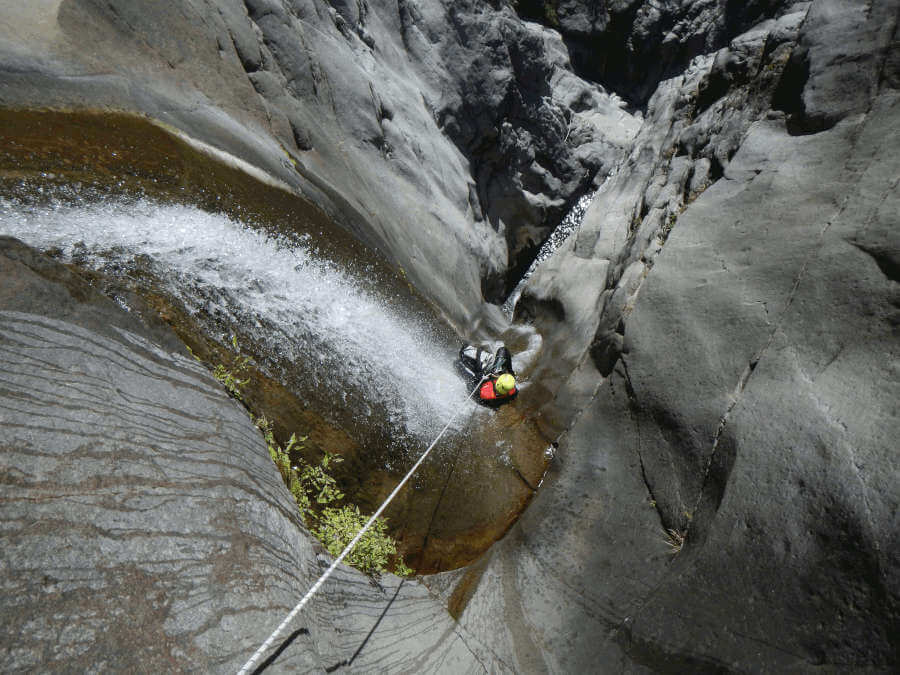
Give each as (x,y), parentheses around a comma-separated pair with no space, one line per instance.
(694,125)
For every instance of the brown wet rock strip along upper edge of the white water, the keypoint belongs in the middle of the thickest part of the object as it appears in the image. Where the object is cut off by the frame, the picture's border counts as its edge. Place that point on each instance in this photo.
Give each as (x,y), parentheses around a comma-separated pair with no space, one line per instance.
(91,154)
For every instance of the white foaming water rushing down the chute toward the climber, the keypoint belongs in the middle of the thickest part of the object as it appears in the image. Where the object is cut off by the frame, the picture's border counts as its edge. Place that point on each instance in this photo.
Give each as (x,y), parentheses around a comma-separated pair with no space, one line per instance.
(307,310)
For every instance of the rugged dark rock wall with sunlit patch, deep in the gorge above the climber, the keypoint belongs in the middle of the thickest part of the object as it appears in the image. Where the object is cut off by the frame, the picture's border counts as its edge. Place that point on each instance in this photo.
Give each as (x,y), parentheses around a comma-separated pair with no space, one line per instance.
(535,133)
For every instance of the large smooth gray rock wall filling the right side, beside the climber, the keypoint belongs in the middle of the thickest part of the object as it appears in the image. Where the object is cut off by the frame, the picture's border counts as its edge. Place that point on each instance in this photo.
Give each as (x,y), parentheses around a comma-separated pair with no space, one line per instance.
(749,341)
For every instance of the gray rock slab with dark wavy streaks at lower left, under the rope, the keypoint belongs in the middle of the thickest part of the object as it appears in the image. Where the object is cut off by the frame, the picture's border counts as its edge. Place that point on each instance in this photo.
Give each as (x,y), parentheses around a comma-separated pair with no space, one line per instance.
(145,528)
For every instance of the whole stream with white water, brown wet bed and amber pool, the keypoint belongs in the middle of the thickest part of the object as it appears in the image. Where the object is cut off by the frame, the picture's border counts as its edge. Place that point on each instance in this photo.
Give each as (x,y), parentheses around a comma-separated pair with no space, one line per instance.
(350,354)
